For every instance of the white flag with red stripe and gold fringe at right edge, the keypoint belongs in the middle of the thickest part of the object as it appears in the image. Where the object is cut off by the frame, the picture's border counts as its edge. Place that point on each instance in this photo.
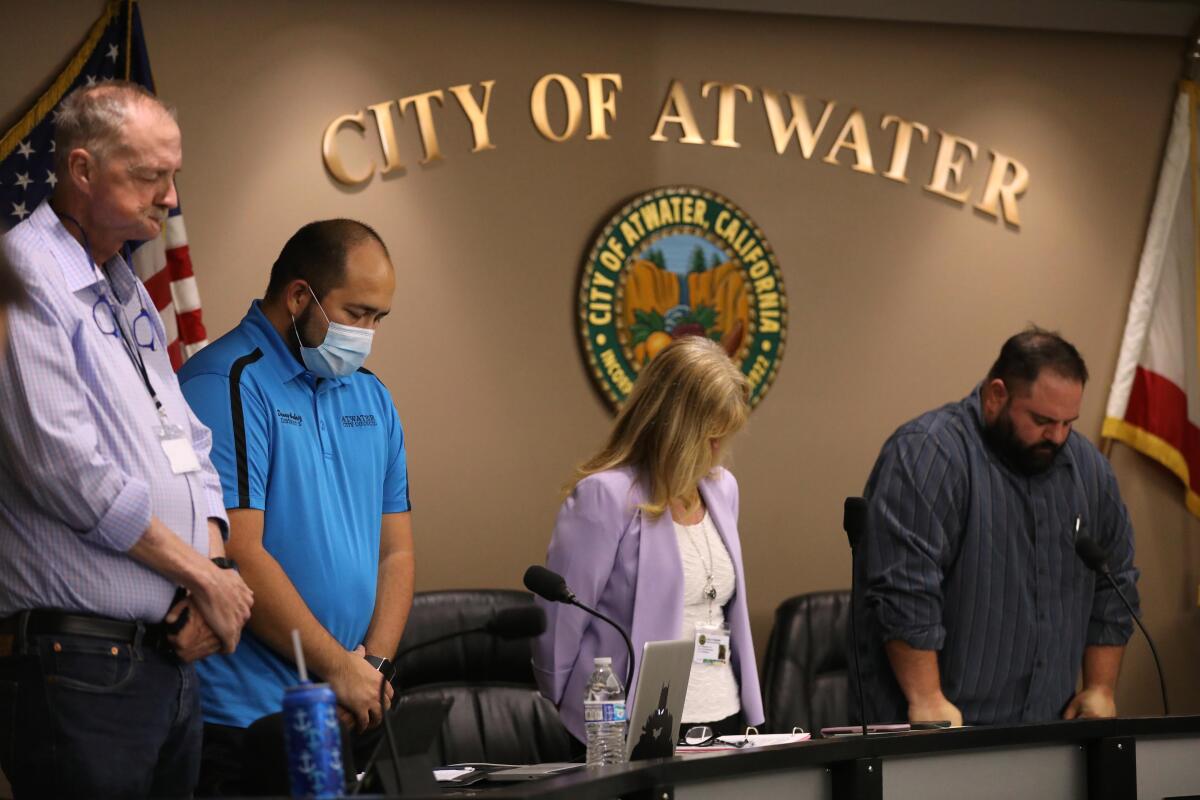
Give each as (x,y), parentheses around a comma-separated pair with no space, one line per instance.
(1155,401)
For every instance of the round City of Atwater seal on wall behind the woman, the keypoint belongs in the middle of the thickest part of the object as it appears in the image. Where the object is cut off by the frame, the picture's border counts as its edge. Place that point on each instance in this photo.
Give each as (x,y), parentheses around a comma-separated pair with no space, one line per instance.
(681,262)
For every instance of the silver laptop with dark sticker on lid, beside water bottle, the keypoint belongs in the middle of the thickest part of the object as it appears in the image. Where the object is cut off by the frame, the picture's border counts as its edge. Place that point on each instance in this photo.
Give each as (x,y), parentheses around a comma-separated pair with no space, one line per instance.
(658,700)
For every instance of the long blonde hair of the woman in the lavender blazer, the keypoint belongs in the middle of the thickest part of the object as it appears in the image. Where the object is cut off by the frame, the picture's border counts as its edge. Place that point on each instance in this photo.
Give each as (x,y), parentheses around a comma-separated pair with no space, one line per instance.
(688,395)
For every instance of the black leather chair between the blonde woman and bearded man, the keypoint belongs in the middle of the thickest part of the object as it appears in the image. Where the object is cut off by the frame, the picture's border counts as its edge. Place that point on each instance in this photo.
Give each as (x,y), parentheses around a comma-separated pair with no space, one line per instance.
(806,675)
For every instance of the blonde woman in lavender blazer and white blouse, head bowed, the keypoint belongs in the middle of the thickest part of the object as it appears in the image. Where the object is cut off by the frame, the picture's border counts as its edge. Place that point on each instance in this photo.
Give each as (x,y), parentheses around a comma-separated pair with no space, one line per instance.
(650,537)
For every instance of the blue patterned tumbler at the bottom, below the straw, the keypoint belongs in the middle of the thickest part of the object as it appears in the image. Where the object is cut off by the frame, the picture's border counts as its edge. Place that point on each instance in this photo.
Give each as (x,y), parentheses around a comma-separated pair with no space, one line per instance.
(314,741)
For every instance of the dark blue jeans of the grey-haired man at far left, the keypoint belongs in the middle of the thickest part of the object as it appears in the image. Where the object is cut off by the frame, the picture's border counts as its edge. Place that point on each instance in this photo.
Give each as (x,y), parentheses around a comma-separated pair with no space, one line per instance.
(89,718)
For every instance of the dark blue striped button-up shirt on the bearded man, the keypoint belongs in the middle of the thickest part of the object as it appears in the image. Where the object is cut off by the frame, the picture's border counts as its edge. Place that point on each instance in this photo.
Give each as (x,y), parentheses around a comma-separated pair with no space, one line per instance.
(970,558)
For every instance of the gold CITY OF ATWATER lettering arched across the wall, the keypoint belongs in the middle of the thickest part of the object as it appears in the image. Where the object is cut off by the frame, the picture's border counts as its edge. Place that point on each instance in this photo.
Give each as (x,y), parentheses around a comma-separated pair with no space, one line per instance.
(789,119)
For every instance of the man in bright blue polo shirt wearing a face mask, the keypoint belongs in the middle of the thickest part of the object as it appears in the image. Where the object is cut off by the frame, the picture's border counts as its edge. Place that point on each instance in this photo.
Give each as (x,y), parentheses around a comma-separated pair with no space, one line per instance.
(311,455)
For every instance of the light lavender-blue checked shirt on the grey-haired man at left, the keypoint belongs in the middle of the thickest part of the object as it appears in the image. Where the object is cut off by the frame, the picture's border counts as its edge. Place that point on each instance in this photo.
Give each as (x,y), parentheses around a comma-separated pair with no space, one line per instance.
(82,470)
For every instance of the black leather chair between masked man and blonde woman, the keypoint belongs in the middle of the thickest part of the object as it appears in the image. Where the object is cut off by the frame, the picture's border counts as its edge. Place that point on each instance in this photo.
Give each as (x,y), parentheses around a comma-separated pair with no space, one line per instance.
(499,715)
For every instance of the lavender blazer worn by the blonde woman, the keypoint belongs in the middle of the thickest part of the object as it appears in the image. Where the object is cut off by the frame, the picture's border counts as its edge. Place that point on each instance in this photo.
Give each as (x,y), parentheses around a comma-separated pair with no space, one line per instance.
(627,564)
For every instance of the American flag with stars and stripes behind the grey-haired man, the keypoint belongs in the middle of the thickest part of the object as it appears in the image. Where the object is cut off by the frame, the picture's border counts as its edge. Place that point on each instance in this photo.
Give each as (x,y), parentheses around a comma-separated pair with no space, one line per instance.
(115,49)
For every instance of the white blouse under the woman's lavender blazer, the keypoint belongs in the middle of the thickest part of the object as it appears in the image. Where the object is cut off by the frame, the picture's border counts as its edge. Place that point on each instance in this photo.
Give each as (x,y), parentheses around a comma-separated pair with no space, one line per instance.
(713,690)
